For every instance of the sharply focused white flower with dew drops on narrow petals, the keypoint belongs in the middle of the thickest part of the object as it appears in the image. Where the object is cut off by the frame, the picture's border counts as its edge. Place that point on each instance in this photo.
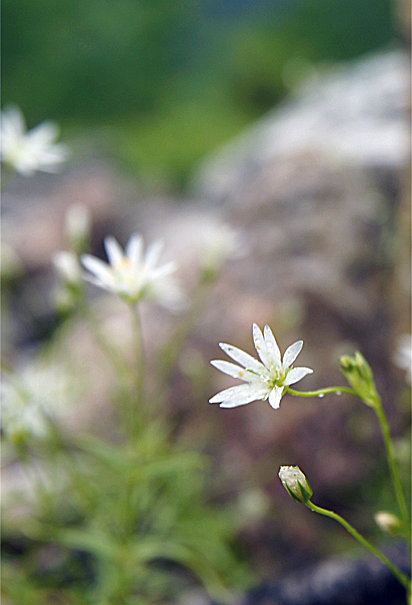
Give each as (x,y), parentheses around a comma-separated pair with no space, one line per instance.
(266,380)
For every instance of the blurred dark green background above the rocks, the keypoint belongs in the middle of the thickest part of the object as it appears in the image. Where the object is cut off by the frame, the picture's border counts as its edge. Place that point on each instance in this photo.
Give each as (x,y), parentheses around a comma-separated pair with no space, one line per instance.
(158,84)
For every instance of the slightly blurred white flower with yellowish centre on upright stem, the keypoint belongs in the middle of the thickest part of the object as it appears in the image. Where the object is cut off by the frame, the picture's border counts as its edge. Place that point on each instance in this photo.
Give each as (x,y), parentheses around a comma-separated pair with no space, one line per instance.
(134,275)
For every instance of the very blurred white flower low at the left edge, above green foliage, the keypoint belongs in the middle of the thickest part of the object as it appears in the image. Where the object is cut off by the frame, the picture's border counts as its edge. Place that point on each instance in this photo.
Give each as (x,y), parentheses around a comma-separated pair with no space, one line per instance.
(29,398)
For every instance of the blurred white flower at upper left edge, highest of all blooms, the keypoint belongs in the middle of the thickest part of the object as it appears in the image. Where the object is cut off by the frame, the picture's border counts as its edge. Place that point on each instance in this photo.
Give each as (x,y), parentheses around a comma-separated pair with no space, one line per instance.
(28,151)
